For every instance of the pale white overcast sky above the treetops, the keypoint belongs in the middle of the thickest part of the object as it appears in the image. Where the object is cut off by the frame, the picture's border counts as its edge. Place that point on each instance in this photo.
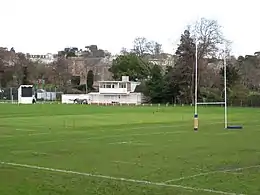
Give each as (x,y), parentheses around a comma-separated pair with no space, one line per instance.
(41,26)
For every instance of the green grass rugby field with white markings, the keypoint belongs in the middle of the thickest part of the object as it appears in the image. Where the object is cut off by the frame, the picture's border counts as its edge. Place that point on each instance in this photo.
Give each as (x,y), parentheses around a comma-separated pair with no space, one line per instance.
(117,150)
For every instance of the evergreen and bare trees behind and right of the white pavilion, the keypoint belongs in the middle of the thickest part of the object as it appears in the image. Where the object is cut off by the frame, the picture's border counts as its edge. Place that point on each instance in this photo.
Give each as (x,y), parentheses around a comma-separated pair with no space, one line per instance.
(175,84)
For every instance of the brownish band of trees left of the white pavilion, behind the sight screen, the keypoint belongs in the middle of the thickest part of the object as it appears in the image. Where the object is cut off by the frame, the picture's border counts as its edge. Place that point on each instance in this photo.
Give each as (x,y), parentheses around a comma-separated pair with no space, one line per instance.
(17,69)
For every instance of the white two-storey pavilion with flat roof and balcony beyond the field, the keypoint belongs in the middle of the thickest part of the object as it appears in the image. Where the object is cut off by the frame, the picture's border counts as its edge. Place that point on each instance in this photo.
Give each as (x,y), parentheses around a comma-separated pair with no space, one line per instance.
(116,92)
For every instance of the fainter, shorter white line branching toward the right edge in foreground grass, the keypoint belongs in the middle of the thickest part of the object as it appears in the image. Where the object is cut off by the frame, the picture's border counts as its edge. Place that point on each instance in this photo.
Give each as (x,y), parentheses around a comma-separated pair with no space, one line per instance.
(212,172)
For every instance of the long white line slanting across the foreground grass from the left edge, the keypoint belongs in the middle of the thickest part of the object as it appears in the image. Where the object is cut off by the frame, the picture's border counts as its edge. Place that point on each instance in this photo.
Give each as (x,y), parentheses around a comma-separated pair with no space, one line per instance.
(116,178)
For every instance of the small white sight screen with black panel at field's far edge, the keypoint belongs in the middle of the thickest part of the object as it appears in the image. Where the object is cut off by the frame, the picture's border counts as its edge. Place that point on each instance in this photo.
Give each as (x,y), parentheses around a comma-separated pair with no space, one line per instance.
(25,94)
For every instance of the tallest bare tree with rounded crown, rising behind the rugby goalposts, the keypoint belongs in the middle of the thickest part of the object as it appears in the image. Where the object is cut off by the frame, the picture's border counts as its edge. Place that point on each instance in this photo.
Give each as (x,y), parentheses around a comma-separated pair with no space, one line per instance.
(211,45)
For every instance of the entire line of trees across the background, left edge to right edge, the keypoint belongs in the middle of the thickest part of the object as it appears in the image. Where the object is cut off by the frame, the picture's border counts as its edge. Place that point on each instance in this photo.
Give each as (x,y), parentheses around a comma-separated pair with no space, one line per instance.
(160,83)
